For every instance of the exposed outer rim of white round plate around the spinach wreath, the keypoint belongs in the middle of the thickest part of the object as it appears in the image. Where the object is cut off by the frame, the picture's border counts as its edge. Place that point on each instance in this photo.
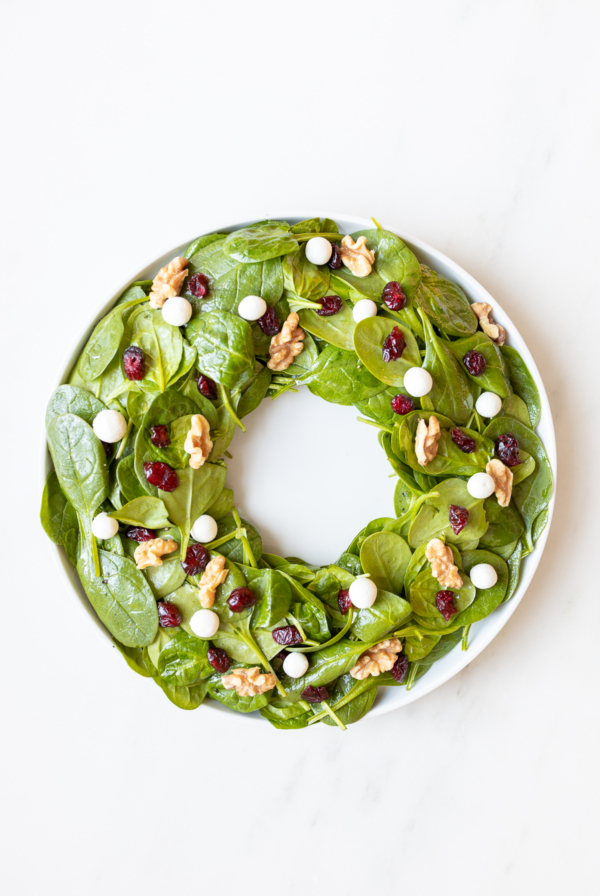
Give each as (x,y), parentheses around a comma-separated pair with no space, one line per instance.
(481,633)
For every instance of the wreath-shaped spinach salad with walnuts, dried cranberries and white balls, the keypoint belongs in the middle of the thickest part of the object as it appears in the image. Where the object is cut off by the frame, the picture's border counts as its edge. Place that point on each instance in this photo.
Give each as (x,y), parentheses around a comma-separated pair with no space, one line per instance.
(138,496)
